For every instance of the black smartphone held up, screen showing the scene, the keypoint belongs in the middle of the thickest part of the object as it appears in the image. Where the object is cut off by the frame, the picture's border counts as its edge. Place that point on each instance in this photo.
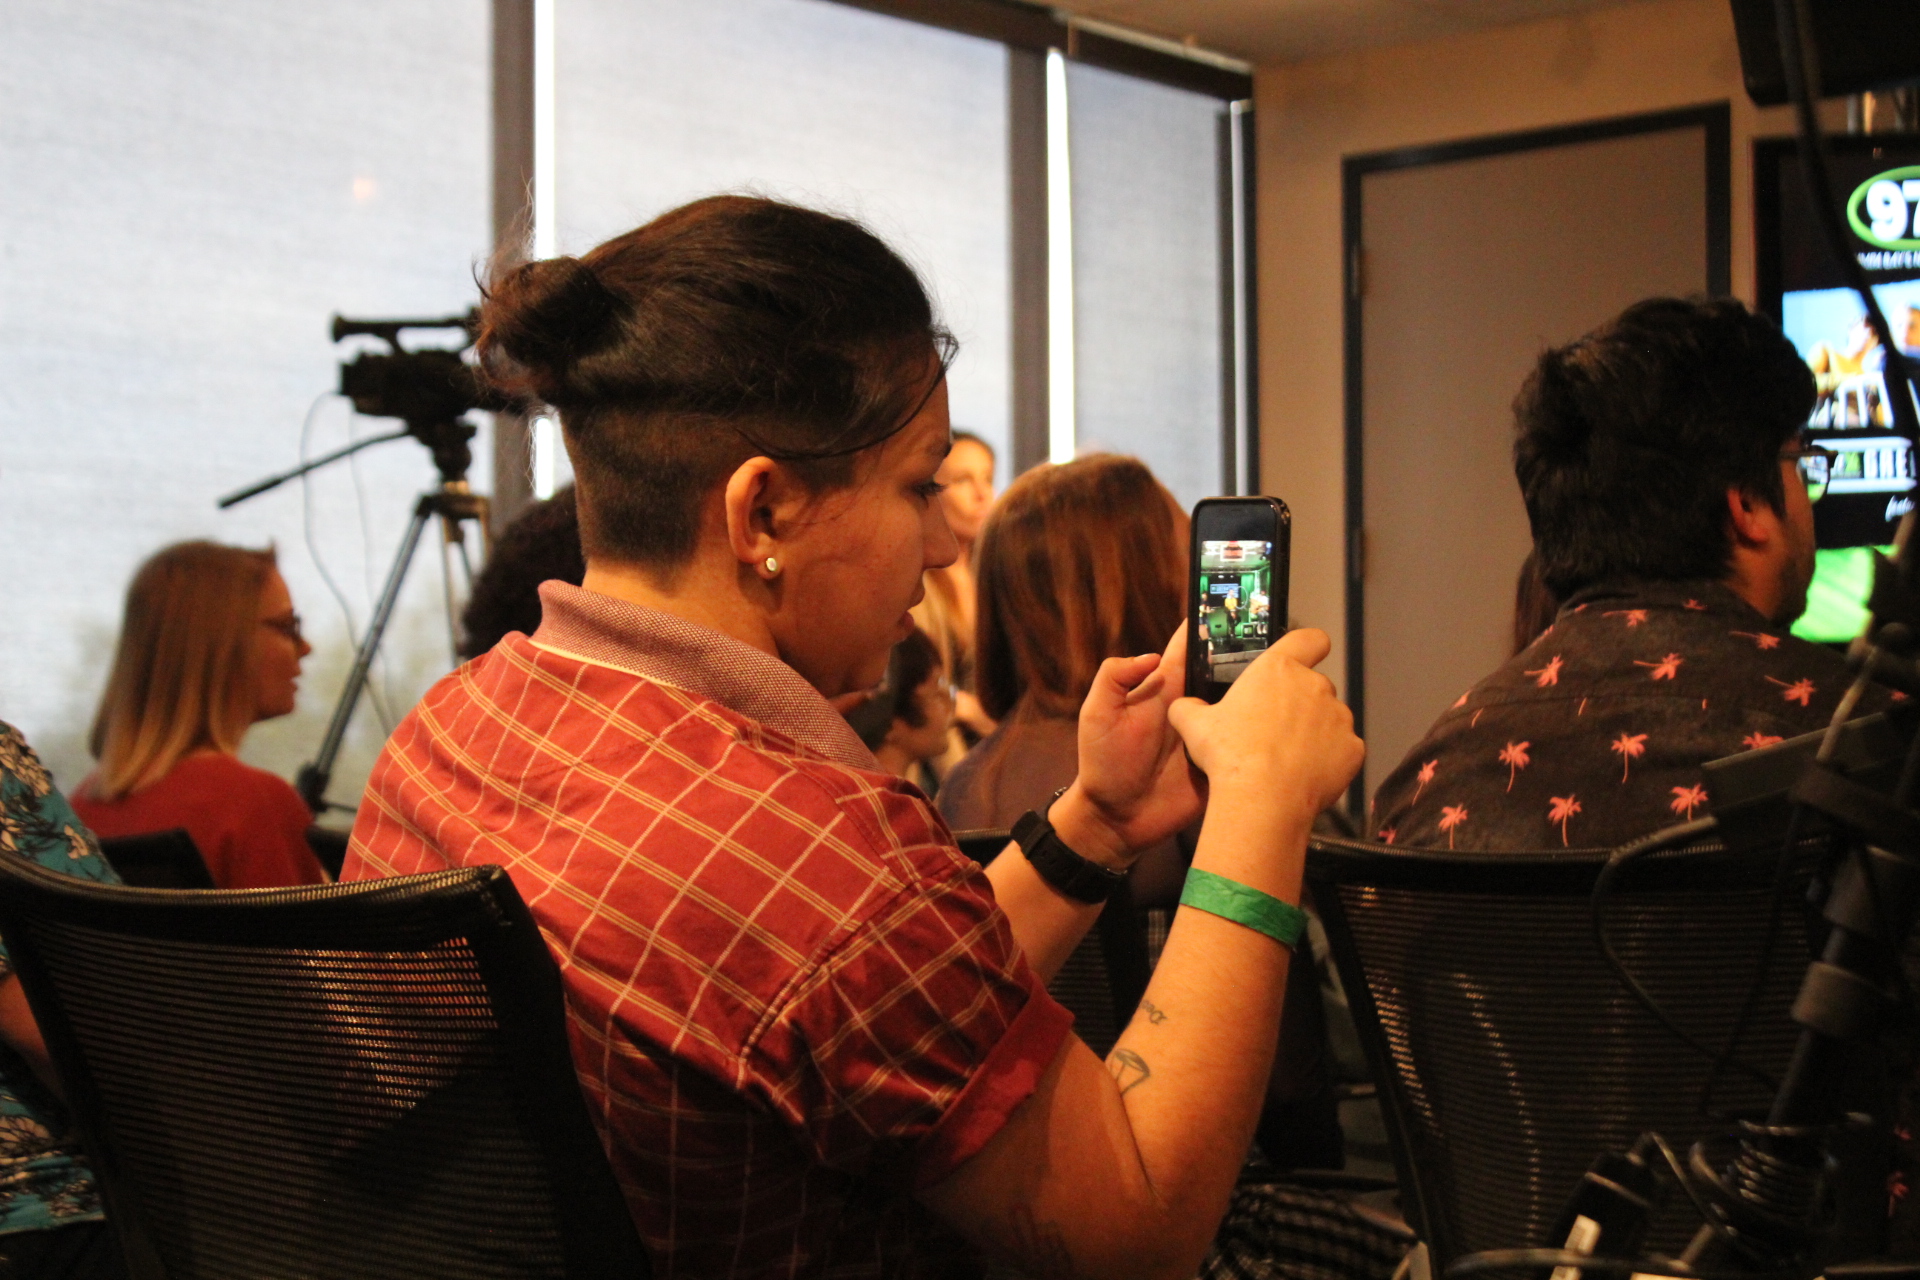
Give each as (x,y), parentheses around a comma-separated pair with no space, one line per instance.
(1236,588)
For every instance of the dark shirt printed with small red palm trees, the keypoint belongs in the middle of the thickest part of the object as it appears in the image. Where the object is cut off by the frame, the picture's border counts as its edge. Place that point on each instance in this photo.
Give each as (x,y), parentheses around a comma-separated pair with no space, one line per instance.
(1596,732)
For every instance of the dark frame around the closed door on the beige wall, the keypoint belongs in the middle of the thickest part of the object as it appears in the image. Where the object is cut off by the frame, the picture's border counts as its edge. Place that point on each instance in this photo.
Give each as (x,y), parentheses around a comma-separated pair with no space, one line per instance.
(1714,118)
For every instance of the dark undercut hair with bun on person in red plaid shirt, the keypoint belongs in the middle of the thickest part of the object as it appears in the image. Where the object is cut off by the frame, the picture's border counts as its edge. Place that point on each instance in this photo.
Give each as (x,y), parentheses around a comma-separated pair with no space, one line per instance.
(723,331)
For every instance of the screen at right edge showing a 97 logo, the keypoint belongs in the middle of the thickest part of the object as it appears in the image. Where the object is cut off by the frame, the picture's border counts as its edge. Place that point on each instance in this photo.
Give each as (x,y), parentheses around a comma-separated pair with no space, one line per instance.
(1877,179)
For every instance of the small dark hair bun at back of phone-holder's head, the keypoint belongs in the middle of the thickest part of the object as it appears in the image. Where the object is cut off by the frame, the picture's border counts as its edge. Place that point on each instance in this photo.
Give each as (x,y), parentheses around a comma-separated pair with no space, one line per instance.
(546,318)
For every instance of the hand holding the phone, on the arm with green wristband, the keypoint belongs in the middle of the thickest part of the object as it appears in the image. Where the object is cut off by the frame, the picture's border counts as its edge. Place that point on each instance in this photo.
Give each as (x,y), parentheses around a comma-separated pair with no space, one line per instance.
(1280,734)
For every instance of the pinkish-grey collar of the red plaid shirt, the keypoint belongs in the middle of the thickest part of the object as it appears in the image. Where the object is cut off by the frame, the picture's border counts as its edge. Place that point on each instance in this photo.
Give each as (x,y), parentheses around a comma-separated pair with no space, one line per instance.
(673,652)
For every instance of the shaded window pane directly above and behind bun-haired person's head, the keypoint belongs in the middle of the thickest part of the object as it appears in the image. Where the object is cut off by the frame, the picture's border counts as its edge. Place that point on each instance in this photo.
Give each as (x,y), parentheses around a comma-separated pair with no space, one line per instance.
(884,120)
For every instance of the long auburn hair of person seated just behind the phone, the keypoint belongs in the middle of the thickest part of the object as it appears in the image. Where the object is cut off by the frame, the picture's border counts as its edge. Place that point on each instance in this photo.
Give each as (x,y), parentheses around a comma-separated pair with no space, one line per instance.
(1080,563)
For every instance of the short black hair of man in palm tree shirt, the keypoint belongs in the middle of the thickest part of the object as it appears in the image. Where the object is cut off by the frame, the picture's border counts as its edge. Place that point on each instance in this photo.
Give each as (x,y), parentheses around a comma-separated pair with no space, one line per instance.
(1629,439)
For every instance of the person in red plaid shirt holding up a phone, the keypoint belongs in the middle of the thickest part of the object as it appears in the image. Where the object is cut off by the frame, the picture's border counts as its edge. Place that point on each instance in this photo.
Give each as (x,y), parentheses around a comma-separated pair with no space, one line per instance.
(817,1037)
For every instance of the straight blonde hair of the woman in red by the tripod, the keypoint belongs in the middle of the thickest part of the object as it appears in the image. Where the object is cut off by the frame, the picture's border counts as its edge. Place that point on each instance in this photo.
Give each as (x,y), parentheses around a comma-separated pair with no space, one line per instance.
(183,669)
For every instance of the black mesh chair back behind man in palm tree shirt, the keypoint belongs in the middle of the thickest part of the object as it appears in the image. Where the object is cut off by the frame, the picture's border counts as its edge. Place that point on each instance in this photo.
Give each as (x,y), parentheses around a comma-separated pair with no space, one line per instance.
(1510,1056)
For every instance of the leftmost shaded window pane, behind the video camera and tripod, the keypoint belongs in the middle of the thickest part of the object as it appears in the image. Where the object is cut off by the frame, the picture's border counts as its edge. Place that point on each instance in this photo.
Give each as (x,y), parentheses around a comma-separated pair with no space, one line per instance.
(191,193)
